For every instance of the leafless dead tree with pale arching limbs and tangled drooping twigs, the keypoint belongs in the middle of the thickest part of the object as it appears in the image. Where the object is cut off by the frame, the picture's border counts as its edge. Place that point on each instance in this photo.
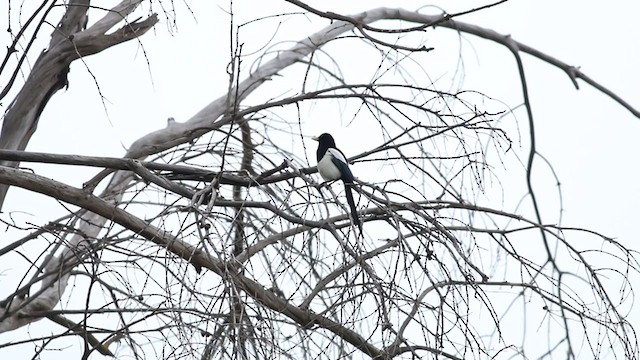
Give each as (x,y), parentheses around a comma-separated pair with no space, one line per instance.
(215,237)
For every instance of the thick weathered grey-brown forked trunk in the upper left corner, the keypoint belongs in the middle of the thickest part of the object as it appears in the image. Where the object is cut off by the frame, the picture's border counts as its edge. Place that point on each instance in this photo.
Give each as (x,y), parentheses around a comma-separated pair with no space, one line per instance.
(69,42)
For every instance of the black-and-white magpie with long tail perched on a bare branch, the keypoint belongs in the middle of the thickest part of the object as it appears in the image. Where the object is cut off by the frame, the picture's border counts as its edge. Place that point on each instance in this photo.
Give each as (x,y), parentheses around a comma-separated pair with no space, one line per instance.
(332,165)
